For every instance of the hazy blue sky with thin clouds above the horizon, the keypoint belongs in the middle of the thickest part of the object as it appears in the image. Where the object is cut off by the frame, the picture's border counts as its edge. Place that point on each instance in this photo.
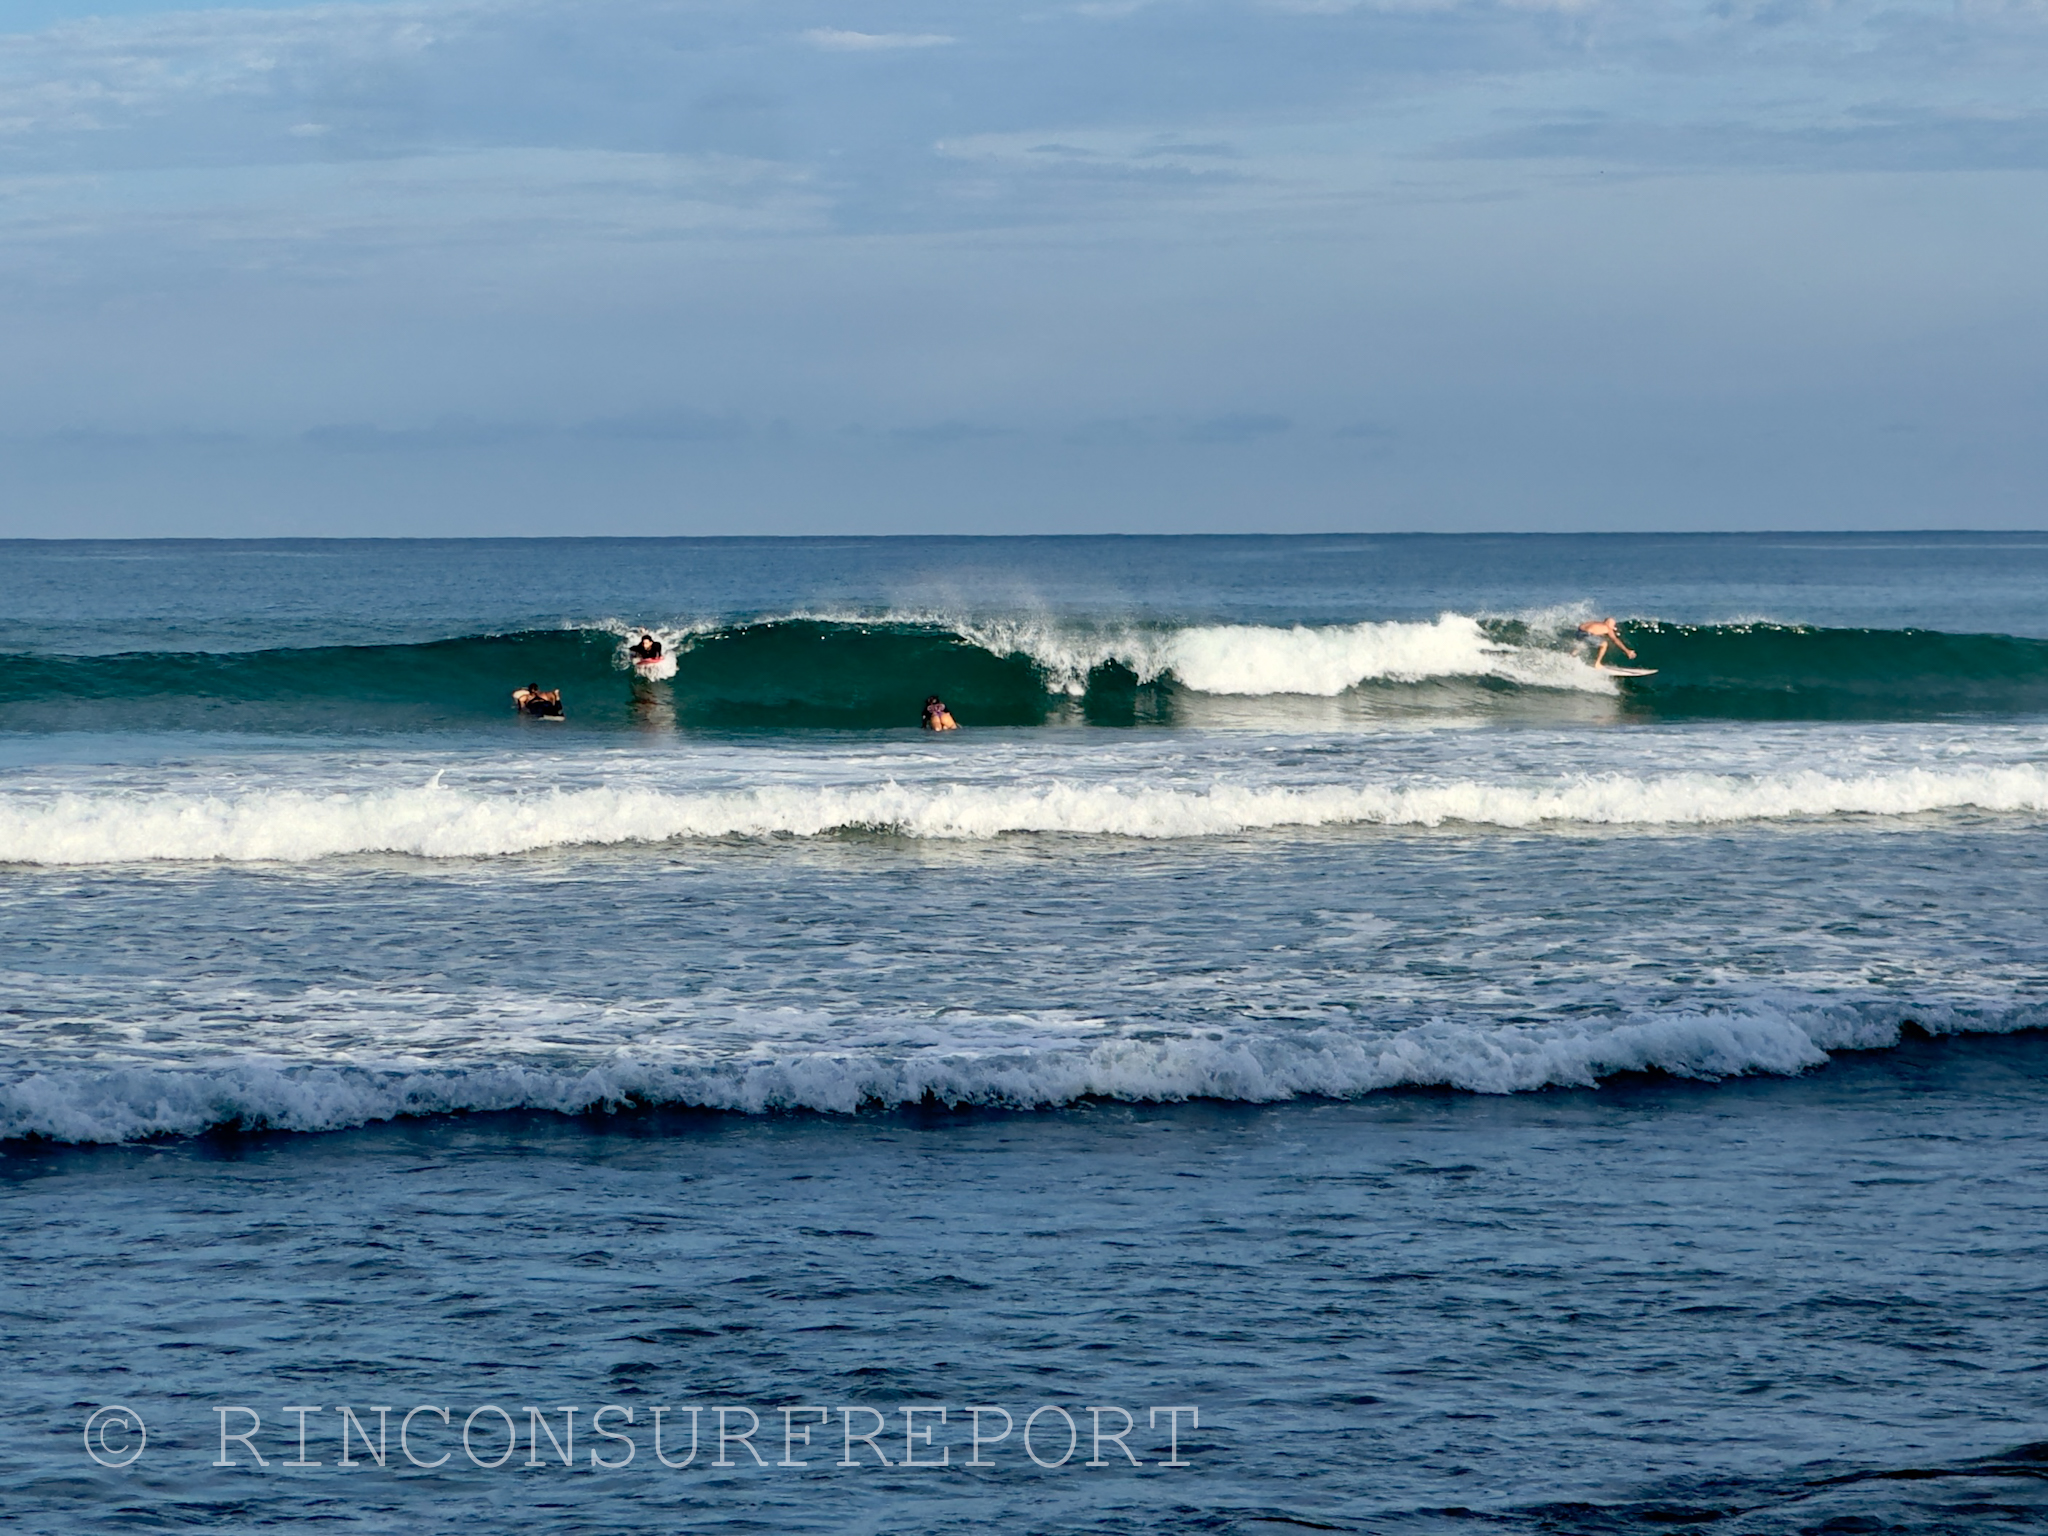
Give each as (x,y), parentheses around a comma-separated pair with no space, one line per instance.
(701,267)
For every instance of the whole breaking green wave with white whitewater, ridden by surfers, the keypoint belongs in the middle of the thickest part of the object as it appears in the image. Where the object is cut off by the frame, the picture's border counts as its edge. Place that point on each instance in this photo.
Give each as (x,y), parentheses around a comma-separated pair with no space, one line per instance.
(835,673)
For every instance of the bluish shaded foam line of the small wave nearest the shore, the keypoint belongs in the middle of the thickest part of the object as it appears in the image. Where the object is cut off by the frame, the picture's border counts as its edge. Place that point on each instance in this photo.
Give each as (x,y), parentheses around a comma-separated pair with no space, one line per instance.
(132,1103)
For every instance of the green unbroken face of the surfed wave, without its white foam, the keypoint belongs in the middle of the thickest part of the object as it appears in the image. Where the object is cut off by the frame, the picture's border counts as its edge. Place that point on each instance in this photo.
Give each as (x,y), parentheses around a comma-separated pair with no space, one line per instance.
(863,677)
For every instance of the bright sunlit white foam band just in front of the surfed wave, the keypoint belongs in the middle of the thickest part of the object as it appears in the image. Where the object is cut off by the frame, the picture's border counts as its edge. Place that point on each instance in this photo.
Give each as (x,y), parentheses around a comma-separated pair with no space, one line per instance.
(439,822)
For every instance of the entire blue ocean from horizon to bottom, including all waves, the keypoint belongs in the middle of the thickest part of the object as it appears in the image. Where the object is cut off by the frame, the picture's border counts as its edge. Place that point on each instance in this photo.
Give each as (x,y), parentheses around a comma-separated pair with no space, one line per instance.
(1308,1054)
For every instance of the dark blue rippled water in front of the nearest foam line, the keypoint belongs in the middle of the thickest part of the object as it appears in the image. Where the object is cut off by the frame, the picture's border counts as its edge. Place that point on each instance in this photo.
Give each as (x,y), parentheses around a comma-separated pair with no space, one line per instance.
(1768,1306)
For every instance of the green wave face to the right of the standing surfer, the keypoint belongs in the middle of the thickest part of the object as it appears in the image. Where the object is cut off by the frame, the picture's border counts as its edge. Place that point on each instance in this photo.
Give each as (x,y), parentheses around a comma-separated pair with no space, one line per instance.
(1785,673)
